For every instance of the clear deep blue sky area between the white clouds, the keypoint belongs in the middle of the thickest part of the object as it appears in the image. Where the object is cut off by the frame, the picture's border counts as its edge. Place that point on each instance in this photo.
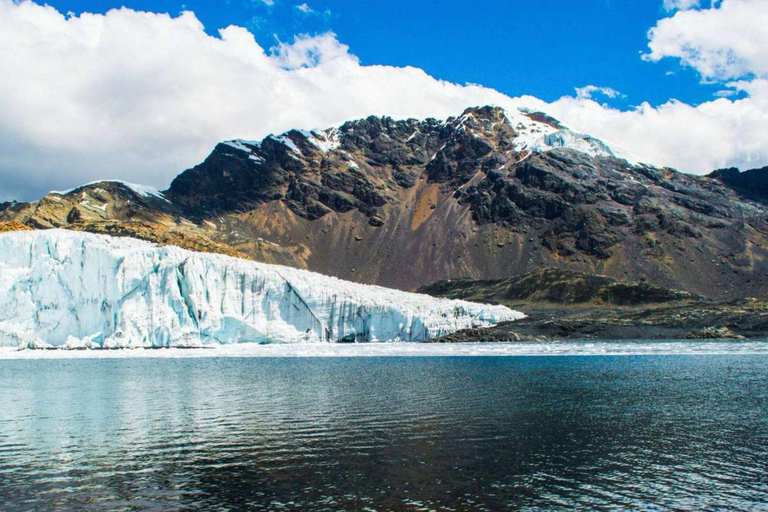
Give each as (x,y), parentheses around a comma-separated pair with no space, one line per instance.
(546,49)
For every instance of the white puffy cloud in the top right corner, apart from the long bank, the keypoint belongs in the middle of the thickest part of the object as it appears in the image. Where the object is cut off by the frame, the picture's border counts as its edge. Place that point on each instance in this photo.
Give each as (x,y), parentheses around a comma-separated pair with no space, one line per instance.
(726,41)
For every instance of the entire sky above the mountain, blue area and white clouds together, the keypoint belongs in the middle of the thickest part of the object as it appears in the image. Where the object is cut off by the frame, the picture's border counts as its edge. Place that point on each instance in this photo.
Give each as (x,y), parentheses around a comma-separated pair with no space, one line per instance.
(142,89)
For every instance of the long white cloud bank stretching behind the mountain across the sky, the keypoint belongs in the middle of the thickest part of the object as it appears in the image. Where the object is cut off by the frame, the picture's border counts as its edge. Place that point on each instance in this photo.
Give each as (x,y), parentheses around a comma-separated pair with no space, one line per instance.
(141,96)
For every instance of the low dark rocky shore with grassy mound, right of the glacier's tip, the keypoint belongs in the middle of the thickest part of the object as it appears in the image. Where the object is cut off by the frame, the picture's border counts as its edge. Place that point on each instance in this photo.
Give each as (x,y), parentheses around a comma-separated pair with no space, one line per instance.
(562,305)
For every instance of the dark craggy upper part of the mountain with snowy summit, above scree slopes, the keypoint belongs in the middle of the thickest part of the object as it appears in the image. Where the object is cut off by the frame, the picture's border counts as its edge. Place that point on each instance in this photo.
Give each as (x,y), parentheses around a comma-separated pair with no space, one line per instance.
(364,162)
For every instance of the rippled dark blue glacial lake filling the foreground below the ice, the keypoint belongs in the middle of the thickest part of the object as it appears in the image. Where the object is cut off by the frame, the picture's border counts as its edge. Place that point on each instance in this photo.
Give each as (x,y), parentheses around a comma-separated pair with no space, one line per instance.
(660,431)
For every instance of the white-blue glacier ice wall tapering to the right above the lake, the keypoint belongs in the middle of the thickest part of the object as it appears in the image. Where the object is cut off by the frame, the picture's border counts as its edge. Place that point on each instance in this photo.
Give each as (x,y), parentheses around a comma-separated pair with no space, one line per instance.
(76,290)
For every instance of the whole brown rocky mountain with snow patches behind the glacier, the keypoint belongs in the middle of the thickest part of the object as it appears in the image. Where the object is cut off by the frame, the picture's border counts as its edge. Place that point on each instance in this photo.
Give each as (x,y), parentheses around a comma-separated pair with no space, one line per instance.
(486,195)
